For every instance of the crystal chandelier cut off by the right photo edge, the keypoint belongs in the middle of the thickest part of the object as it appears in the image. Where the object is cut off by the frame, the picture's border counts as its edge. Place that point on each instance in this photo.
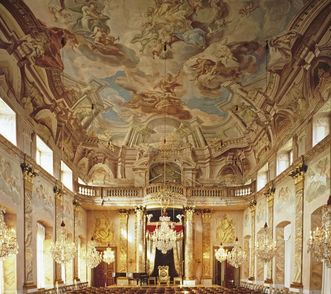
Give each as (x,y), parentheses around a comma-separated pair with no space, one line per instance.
(319,243)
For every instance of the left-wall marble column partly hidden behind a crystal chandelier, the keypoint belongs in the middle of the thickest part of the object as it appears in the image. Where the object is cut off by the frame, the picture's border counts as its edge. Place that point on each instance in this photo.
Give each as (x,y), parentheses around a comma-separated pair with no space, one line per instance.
(58,193)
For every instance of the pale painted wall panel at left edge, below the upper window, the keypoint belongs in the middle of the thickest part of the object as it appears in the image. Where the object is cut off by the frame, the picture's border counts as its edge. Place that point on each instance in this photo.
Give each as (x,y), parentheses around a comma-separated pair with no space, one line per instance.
(10,179)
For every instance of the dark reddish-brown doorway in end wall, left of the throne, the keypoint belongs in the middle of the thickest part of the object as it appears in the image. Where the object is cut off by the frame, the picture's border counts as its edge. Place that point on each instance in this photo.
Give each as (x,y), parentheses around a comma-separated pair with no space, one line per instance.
(102,274)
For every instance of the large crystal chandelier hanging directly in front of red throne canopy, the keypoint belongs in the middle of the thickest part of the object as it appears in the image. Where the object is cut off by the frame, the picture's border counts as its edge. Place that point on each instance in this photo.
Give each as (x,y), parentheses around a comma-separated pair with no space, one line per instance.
(165,235)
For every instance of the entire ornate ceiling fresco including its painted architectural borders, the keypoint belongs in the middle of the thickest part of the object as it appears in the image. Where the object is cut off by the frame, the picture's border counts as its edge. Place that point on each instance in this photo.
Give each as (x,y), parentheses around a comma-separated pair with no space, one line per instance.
(220,79)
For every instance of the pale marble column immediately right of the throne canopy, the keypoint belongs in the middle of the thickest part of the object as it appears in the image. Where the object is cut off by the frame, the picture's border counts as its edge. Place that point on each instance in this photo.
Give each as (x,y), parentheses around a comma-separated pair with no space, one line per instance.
(188,262)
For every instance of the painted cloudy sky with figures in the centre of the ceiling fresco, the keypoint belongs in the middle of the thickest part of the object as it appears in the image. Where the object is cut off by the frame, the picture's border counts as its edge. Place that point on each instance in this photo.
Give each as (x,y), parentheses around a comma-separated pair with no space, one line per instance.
(210,45)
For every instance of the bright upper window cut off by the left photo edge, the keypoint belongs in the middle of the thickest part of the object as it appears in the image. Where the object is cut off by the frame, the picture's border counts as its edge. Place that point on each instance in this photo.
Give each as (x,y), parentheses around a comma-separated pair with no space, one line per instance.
(7,122)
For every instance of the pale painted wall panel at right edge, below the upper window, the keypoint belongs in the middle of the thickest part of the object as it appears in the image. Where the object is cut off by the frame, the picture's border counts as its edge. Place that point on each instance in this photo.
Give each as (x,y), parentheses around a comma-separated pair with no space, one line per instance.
(318,178)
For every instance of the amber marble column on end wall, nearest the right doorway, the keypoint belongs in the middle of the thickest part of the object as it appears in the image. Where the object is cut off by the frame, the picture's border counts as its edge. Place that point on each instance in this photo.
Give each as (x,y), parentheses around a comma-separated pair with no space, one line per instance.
(206,247)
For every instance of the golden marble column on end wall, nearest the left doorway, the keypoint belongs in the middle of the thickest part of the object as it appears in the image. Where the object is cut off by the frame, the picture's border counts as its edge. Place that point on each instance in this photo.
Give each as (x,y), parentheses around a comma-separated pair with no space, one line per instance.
(123,243)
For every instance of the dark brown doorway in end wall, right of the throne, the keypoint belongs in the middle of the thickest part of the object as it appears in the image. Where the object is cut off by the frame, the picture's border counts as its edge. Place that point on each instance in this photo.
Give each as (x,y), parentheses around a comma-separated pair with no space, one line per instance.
(224,273)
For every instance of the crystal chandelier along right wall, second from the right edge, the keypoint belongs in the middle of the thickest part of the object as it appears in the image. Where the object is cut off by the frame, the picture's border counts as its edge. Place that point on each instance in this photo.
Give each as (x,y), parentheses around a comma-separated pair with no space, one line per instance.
(265,246)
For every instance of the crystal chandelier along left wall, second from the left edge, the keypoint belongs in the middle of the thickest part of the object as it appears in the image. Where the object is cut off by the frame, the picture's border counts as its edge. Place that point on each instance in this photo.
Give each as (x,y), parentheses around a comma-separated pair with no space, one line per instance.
(63,250)
